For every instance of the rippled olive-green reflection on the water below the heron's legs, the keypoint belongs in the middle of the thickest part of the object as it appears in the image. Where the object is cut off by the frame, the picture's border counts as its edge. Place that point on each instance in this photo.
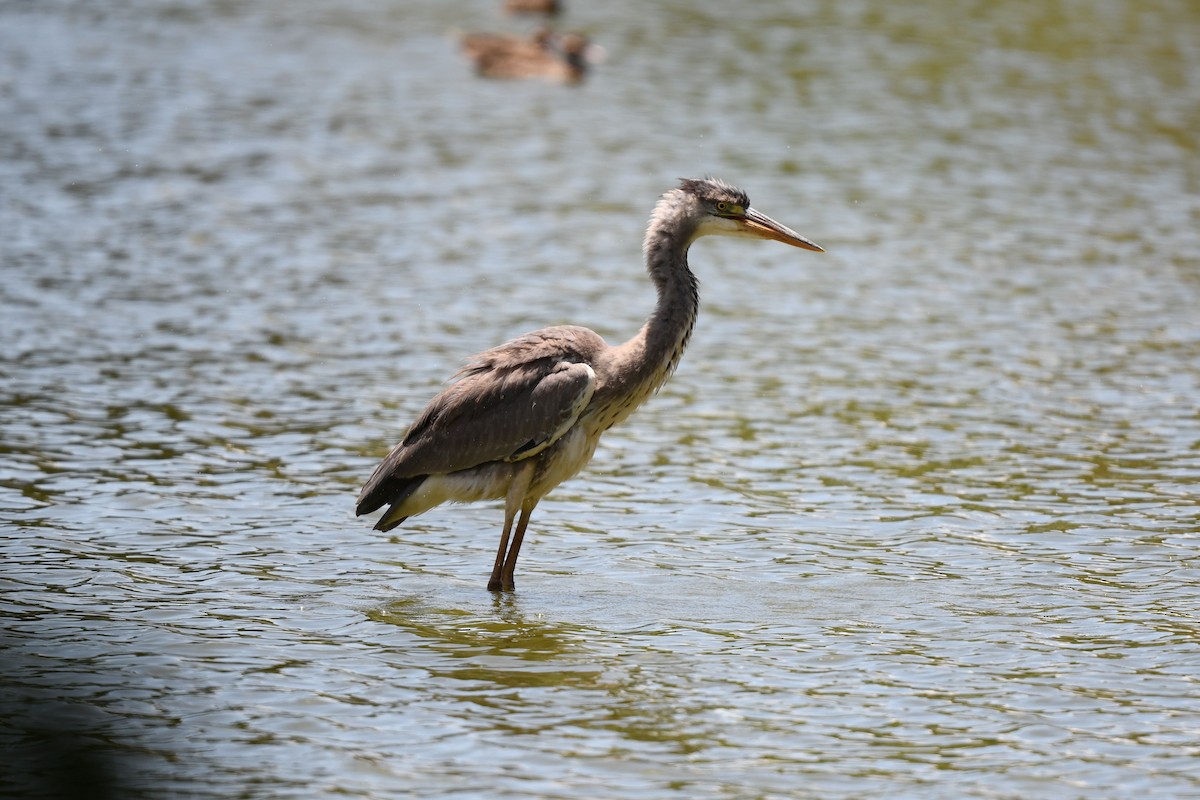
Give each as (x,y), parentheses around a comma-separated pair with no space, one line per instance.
(520,675)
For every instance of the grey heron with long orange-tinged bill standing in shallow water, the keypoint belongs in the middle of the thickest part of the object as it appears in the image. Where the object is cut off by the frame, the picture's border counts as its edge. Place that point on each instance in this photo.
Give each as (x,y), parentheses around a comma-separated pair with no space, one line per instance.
(525,417)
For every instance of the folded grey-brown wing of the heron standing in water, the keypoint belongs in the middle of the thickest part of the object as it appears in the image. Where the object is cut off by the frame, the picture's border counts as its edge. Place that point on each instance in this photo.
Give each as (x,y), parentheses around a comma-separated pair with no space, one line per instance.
(509,404)
